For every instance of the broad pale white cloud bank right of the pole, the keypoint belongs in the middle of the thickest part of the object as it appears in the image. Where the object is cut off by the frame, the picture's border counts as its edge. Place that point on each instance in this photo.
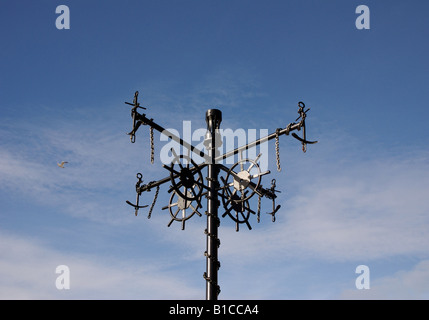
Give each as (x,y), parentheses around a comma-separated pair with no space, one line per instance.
(378,210)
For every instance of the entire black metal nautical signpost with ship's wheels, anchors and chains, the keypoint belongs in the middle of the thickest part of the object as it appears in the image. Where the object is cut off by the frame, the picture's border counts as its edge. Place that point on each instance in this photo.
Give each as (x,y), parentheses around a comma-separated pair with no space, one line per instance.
(240,182)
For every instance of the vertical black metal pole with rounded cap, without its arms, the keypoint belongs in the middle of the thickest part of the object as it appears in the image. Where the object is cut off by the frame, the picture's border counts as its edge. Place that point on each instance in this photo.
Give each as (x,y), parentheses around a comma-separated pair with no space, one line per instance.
(212,142)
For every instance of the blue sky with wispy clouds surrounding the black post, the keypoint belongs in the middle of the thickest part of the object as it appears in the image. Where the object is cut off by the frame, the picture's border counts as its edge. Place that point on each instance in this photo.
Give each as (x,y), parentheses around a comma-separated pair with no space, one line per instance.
(357,197)
